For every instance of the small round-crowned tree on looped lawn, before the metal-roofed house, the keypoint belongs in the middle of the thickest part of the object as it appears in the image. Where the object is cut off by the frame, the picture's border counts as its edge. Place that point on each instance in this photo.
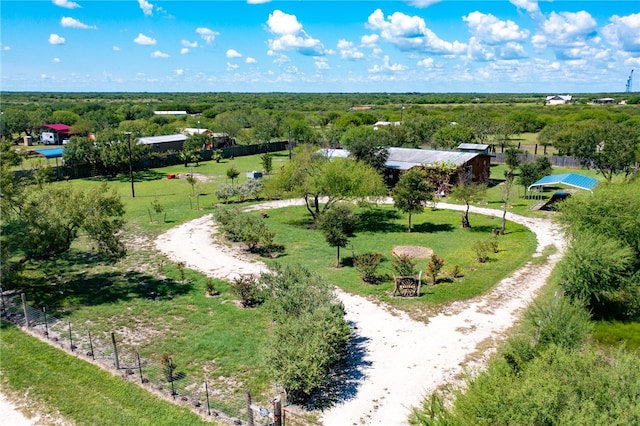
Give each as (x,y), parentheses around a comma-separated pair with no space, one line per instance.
(412,192)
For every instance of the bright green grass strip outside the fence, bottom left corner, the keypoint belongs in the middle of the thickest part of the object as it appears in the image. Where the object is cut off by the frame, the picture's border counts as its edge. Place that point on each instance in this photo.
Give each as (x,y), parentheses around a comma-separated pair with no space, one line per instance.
(66,386)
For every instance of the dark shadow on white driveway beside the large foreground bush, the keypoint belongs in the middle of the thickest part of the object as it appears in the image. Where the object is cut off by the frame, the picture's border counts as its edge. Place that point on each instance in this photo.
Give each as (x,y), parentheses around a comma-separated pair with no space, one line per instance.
(345,376)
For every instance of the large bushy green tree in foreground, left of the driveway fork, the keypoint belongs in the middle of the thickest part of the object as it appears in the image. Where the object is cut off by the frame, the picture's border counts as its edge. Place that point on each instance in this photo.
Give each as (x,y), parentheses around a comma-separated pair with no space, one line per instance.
(310,331)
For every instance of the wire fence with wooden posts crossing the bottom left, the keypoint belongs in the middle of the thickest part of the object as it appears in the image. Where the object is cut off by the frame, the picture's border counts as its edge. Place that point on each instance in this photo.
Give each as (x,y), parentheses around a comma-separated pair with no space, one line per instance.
(162,379)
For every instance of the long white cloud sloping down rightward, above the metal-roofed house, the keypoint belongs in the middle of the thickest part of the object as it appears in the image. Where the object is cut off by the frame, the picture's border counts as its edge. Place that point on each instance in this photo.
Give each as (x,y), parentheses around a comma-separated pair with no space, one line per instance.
(411,33)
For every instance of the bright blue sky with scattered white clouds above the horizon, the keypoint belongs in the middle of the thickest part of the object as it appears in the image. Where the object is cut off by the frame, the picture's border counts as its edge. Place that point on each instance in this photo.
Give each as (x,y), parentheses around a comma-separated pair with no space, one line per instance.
(509,46)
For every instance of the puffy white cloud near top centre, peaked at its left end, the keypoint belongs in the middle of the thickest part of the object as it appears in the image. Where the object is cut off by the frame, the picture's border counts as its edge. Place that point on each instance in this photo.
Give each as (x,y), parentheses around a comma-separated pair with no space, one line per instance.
(292,36)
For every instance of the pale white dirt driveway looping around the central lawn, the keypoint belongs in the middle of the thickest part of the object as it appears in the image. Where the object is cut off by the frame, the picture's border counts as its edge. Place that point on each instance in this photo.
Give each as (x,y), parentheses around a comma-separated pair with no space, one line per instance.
(403,359)
